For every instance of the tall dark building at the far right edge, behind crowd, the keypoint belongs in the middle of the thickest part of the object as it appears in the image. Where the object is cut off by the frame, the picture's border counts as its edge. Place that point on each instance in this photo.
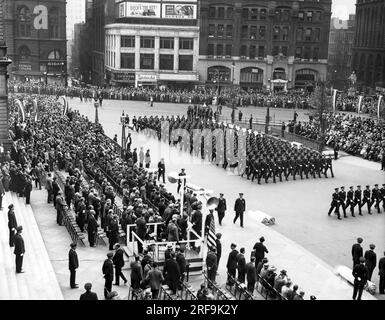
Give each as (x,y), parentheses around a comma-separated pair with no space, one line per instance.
(369,43)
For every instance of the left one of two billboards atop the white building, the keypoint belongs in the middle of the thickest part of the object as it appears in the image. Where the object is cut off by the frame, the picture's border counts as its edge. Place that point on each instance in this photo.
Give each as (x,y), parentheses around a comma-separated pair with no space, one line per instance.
(139,10)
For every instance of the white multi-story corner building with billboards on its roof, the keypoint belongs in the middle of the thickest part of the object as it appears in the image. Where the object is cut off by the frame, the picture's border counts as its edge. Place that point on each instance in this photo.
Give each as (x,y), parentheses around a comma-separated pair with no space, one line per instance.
(153,43)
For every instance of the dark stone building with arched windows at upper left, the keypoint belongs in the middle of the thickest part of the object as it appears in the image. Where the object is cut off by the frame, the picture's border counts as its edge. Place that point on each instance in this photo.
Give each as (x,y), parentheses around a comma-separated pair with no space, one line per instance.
(35,33)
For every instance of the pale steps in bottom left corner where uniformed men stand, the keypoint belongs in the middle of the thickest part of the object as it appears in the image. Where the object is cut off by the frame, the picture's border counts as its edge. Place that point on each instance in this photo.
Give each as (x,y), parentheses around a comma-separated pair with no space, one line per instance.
(39,281)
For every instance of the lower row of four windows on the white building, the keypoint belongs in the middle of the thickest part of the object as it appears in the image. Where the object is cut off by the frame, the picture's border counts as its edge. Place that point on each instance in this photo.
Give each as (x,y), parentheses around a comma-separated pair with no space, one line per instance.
(166,61)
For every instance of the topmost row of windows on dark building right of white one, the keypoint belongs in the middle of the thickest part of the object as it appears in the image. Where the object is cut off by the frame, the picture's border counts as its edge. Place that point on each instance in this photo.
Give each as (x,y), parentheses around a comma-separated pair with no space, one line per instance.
(254,13)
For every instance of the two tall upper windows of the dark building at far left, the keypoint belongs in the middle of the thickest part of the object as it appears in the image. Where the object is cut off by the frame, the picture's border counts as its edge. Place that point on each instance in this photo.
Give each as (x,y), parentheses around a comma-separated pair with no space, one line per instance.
(24,22)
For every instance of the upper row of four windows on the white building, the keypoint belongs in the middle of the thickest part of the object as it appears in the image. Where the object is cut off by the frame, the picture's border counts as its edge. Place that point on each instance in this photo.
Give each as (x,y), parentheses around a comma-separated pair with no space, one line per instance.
(164,42)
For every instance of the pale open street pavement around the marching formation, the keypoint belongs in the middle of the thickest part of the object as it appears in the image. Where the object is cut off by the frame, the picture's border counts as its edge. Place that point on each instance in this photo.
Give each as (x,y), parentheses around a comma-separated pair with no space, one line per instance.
(300,207)
